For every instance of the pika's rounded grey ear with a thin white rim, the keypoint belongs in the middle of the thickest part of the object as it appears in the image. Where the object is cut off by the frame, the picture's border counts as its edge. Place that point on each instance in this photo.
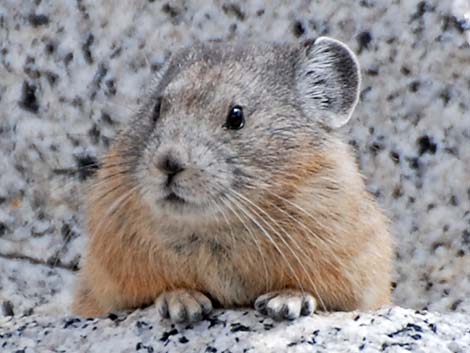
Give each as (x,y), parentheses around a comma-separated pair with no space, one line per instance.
(328,80)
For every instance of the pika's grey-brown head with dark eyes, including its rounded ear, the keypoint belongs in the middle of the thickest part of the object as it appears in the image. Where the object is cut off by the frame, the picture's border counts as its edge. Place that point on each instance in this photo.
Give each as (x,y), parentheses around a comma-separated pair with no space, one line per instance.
(224,122)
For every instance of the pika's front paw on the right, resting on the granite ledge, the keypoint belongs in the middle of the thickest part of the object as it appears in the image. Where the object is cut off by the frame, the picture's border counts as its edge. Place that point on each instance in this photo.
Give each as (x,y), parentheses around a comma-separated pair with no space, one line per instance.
(286,304)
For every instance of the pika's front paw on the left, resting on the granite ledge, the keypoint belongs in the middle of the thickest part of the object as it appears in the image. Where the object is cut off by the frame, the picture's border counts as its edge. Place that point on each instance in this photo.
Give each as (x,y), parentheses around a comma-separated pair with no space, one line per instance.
(183,305)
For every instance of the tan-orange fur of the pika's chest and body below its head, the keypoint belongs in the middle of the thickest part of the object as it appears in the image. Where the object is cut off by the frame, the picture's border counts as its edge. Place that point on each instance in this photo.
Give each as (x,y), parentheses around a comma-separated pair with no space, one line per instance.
(129,263)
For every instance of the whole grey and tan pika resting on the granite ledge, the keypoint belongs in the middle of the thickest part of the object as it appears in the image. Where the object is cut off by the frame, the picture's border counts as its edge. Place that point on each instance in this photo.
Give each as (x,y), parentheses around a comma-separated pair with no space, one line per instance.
(231,187)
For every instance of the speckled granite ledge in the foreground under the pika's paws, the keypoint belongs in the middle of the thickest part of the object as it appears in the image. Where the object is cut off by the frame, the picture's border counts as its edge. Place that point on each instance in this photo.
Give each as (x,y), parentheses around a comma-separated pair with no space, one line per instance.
(388,330)
